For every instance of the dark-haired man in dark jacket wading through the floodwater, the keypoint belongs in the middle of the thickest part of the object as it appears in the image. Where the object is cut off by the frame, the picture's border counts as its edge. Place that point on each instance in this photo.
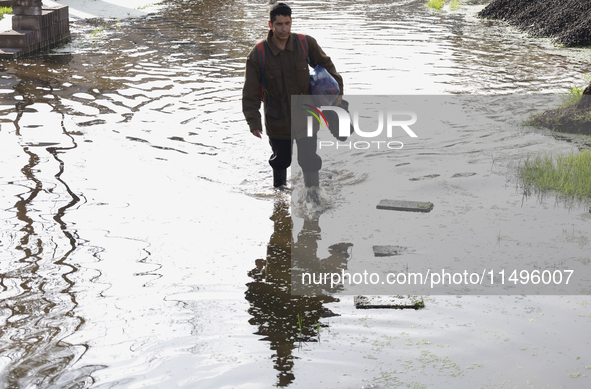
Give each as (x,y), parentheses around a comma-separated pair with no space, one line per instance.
(286,74)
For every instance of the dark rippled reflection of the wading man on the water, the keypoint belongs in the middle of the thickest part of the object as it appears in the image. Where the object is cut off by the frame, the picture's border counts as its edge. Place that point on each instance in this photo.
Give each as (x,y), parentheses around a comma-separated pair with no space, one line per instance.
(282,318)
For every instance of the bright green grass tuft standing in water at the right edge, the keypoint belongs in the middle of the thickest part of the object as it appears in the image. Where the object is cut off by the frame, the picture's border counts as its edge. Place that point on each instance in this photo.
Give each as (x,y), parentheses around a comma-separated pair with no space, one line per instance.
(567,175)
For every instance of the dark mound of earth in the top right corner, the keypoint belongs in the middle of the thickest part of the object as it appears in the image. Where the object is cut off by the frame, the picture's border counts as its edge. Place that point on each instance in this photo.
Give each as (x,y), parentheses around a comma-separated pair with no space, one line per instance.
(567,22)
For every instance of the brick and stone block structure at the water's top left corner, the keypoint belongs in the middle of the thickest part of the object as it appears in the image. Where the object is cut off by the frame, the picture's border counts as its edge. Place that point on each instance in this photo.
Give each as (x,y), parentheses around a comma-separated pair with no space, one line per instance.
(34,29)
